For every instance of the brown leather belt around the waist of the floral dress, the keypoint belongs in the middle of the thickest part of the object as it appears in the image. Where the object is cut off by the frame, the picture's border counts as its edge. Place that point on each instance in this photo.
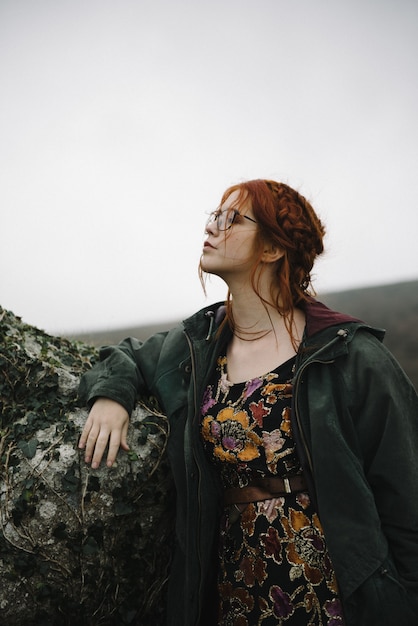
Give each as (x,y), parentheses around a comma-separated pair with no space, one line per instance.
(264,489)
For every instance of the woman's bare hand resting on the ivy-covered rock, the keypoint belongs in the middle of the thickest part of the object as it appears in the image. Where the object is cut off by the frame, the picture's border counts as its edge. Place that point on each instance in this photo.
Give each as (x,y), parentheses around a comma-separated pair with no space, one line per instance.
(106,424)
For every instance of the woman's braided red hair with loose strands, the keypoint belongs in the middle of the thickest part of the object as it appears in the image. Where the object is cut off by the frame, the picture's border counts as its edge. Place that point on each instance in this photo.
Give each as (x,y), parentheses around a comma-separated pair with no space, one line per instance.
(286,221)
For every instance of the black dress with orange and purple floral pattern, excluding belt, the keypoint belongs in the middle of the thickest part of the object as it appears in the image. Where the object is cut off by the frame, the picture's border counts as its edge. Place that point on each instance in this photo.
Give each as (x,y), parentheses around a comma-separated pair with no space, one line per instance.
(274,564)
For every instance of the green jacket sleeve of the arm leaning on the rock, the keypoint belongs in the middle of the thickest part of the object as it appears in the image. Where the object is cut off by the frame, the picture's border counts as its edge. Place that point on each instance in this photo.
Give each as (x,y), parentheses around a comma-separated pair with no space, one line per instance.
(123,372)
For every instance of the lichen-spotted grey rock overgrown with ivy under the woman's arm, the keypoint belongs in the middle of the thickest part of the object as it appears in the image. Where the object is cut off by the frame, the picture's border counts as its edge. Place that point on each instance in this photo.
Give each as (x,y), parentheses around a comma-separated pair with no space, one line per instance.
(77,546)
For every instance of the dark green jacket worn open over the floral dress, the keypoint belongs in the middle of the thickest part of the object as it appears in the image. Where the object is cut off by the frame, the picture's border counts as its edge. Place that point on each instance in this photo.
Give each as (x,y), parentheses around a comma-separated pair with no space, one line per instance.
(355,422)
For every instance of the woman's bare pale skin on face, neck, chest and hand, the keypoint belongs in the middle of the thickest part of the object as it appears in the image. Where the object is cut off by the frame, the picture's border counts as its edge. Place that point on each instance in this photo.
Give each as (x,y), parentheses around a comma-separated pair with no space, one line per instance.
(228,254)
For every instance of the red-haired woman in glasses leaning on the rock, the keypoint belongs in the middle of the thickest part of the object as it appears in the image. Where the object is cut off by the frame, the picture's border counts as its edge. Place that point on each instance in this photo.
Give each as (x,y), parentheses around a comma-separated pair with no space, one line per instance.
(294,436)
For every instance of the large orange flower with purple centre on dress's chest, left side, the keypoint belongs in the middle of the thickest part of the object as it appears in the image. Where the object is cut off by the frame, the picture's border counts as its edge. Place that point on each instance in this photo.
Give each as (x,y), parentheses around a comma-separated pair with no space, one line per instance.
(231,435)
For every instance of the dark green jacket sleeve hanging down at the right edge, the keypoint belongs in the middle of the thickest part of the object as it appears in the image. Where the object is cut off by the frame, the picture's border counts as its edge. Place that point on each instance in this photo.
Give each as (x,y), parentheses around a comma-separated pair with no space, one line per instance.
(386,419)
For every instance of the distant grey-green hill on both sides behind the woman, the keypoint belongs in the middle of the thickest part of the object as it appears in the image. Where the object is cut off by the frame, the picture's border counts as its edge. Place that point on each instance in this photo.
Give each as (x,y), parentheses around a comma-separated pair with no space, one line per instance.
(393,307)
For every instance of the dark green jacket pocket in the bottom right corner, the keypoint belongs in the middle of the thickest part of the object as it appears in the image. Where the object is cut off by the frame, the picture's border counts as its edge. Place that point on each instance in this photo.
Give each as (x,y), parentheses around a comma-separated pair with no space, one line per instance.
(382,599)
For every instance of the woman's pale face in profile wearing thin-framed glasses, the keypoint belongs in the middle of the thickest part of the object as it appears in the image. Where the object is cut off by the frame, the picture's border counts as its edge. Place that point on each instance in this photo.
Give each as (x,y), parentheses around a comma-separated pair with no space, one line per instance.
(228,253)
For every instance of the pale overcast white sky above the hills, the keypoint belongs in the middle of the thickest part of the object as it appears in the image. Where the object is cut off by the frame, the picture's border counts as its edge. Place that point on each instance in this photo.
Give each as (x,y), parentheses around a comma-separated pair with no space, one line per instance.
(123,121)
